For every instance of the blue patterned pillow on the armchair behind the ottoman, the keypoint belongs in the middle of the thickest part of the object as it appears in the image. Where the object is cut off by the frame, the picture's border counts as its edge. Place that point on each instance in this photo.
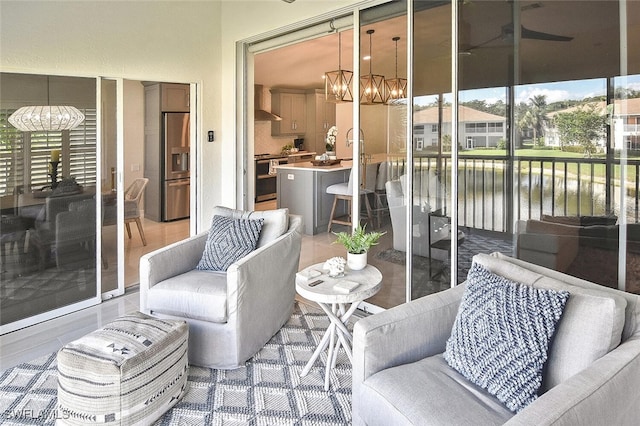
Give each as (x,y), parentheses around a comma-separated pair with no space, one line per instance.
(229,240)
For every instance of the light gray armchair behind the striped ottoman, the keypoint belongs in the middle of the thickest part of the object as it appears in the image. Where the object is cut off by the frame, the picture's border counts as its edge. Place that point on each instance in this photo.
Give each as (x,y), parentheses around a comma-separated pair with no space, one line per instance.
(231,314)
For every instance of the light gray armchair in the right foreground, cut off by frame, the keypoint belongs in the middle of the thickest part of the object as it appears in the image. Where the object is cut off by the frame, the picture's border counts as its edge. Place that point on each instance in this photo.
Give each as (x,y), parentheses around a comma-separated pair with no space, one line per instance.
(591,376)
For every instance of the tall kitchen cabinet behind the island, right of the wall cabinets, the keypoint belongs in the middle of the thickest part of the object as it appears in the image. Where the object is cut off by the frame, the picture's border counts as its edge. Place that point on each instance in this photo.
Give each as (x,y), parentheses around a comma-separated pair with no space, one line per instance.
(321,115)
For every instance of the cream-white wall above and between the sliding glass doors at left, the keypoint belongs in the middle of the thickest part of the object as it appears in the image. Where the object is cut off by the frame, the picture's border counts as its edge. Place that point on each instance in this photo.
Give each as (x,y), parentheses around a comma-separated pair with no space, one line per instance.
(176,41)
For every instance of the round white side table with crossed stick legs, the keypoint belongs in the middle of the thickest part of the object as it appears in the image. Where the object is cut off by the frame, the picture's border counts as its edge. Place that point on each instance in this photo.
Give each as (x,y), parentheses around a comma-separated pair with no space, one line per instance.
(335,304)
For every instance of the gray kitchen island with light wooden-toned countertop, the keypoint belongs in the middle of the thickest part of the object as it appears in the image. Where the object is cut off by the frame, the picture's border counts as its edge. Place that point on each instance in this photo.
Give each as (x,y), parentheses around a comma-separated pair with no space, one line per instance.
(302,188)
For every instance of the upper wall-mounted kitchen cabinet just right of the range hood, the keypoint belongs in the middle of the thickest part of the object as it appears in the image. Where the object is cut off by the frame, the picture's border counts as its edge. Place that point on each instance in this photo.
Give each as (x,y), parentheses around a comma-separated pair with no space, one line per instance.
(291,106)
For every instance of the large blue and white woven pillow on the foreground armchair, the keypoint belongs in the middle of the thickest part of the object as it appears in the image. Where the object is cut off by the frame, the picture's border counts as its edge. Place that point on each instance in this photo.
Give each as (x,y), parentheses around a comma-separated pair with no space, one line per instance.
(501,335)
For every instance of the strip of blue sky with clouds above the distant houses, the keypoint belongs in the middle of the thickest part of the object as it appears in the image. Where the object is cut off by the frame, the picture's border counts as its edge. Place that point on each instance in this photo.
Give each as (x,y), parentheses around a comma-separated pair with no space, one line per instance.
(554,92)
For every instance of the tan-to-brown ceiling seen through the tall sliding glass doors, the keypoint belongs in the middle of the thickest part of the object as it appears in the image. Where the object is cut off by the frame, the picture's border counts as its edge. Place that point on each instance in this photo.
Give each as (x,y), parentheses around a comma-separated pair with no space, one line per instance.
(593,52)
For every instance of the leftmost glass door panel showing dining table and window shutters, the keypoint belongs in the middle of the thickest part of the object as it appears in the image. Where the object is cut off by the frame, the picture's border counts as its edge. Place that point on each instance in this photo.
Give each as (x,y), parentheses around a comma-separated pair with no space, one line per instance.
(48,195)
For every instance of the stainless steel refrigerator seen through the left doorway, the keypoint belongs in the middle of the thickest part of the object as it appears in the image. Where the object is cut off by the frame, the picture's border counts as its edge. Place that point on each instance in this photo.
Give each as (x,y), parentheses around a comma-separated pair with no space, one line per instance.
(175,188)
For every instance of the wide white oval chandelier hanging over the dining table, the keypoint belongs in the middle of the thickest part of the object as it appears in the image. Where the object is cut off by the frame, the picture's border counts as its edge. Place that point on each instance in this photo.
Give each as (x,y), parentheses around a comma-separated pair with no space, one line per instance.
(46,117)
